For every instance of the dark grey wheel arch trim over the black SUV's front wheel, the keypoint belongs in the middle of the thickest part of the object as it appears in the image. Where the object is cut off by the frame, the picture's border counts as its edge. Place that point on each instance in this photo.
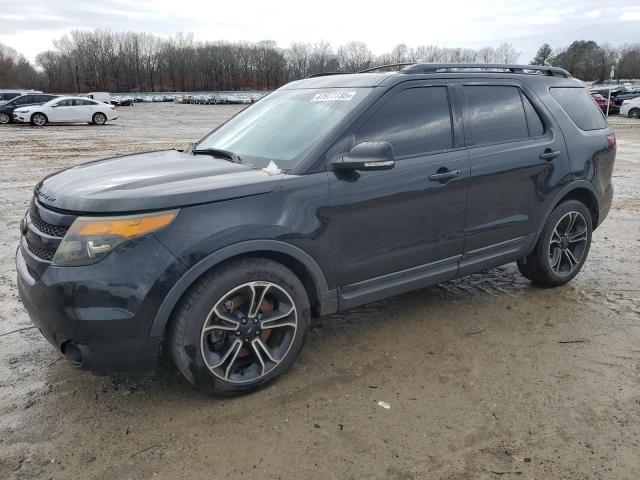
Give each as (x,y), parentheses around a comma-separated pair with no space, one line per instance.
(322,300)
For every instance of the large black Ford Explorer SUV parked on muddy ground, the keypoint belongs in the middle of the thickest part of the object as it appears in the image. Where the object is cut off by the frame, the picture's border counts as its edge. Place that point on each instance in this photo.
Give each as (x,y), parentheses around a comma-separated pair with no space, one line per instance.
(331,192)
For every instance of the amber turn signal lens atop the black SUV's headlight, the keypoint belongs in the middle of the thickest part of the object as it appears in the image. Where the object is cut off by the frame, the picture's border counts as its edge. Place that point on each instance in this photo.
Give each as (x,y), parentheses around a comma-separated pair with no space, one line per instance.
(125,227)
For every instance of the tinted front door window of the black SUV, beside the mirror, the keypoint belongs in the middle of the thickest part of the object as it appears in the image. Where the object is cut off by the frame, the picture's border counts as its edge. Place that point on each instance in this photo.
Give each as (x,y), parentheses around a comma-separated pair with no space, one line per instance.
(416,121)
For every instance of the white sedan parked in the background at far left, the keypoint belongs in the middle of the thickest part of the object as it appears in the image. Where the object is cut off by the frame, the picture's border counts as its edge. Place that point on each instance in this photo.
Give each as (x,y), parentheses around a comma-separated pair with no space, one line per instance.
(66,110)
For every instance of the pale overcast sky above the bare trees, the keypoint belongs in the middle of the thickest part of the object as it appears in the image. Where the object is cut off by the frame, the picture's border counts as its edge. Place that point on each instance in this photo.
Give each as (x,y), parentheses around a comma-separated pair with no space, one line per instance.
(30,27)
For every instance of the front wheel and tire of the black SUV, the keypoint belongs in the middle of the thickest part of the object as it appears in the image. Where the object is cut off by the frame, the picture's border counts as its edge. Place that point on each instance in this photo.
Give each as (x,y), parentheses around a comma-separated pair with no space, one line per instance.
(231,334)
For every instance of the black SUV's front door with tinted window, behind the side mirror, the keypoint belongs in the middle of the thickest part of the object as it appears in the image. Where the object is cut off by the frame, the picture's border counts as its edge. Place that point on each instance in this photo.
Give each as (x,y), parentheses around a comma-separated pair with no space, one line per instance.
(398,229)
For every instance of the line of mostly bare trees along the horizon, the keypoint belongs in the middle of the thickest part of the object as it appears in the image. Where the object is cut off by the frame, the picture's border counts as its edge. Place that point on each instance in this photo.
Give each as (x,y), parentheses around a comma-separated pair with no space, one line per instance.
(104,60)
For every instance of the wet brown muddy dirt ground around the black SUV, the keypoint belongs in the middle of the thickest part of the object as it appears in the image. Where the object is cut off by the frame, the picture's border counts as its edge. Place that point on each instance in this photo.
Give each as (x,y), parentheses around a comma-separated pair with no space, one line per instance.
(486,377)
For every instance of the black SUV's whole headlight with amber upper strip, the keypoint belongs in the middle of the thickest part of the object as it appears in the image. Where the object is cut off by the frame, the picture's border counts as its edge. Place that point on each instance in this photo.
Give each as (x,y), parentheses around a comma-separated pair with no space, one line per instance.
(90,239)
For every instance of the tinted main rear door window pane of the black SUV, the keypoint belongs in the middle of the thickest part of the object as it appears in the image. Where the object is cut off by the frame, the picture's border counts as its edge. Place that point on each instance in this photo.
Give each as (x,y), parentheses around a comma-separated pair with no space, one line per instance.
(495,115)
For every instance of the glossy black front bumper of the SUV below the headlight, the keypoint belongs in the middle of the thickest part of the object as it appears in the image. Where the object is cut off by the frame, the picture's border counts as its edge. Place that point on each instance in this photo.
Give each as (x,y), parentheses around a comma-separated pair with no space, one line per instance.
(103,311)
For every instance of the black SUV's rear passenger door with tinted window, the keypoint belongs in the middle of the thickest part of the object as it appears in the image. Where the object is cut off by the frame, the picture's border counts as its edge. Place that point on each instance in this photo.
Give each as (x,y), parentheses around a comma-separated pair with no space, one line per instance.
(518,161)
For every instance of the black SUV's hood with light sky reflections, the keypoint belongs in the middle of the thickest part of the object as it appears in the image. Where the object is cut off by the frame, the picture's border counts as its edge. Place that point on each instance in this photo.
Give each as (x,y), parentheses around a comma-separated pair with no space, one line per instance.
(151,181)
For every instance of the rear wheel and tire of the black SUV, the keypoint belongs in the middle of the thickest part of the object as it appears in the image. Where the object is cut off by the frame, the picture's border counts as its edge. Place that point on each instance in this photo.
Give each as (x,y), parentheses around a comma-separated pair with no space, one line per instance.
(562,248)
